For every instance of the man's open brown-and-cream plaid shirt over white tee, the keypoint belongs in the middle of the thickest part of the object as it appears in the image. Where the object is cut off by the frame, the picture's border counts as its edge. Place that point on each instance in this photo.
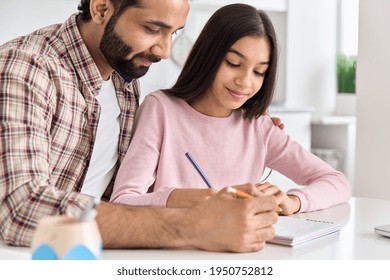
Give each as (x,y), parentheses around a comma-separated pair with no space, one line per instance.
(48,122)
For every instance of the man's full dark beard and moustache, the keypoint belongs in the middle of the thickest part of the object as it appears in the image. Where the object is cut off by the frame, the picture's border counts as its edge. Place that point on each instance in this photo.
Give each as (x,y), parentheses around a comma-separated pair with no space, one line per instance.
(115,51)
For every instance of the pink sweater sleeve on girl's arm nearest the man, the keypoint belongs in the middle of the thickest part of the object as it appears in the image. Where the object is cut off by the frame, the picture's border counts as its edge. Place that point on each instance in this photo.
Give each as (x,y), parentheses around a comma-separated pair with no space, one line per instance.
(137,171)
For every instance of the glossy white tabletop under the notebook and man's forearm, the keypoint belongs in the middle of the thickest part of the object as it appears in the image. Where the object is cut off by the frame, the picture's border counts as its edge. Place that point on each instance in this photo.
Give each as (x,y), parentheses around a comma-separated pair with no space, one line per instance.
(357,240)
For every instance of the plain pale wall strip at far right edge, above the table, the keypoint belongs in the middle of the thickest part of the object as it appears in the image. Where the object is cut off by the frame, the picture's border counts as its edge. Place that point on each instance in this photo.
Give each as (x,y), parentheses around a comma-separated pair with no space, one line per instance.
(373,101)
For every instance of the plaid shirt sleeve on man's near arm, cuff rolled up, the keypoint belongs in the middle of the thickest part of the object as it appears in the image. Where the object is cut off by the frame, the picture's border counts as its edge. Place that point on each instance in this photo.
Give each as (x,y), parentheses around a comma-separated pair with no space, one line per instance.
(26,112)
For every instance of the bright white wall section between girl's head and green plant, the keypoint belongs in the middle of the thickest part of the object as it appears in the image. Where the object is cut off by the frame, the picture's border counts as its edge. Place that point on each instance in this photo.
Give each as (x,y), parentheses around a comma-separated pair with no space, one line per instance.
(311,55)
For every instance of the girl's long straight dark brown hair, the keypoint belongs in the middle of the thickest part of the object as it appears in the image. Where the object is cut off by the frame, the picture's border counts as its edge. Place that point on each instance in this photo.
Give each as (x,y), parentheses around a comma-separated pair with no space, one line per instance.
(226,26)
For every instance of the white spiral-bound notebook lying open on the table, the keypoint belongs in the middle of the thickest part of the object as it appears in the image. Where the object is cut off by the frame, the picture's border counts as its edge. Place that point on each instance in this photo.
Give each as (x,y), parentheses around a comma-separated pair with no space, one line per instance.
(291,231)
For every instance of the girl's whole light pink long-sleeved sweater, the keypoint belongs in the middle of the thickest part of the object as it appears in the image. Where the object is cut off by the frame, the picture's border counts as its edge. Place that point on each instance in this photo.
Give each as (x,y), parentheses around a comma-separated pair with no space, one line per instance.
(230,151)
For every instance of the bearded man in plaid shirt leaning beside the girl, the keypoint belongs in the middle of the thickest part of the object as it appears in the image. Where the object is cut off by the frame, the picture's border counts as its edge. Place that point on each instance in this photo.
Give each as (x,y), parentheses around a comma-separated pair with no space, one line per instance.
(68,97)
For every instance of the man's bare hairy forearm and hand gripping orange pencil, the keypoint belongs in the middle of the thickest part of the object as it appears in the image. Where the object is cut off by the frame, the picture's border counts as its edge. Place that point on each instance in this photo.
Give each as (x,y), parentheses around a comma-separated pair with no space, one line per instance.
(221,223)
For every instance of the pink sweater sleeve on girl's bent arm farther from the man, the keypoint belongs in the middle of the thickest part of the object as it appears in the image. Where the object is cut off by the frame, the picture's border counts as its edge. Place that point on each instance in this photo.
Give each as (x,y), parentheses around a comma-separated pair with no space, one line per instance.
(323,186)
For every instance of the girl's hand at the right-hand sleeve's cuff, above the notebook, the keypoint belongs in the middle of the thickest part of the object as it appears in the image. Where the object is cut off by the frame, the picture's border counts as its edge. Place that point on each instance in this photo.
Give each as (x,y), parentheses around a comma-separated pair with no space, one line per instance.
(288,204)
